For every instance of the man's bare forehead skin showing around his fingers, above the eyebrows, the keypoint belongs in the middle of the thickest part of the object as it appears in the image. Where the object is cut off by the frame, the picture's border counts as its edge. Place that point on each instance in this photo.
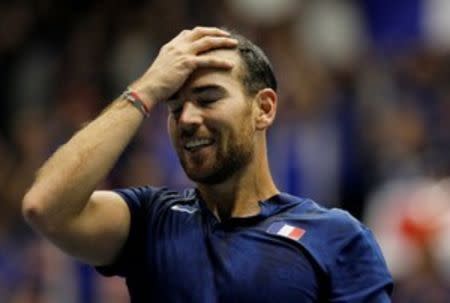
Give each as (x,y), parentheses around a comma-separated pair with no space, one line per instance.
(216,76)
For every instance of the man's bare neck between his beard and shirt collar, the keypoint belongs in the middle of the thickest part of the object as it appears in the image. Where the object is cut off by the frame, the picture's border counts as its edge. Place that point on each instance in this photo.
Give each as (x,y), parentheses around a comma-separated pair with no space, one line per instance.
(239,195)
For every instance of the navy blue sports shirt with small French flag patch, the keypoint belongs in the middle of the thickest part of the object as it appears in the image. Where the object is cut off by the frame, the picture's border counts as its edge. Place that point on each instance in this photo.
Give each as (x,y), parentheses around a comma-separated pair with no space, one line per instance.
(292,251)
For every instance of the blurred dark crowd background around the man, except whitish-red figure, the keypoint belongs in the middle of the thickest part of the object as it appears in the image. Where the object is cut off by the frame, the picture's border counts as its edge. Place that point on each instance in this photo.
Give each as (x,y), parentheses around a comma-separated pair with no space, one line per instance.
(364,105)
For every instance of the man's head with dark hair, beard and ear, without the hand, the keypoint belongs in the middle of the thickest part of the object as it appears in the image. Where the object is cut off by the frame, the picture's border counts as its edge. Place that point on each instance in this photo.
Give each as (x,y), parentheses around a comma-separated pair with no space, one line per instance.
(219,117)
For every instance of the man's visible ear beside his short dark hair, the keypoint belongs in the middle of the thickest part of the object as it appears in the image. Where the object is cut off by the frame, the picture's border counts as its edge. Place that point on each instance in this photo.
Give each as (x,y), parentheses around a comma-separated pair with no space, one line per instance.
(266,102)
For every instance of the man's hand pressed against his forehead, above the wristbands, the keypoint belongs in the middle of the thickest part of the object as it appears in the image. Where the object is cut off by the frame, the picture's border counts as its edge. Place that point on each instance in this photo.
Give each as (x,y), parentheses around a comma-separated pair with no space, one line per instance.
(183,55)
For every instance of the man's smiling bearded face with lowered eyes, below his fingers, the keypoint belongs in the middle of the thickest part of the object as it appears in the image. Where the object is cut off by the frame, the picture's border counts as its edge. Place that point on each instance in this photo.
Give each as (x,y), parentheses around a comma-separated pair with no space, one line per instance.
(210,123)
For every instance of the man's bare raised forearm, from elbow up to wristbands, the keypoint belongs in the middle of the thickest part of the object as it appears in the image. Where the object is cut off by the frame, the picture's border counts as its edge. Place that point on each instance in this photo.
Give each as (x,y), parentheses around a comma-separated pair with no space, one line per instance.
(66,181)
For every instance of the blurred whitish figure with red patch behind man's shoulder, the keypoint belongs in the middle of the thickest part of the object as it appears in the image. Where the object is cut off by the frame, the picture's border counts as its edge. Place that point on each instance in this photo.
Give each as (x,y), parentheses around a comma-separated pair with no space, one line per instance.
(411,220)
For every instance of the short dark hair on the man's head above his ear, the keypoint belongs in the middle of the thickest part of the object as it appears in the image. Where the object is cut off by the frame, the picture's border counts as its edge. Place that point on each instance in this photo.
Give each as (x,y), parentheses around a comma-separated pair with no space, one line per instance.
(257,72)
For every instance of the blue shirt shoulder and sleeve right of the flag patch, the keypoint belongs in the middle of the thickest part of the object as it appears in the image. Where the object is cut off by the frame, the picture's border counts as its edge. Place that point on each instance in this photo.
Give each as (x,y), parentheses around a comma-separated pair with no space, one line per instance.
(345,249)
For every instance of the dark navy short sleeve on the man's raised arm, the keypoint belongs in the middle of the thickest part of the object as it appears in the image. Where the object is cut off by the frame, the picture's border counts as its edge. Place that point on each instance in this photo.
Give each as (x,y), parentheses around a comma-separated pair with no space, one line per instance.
(142,202)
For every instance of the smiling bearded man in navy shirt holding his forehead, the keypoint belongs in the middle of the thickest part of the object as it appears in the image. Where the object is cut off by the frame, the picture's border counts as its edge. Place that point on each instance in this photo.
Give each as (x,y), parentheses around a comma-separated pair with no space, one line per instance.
(235,237)
